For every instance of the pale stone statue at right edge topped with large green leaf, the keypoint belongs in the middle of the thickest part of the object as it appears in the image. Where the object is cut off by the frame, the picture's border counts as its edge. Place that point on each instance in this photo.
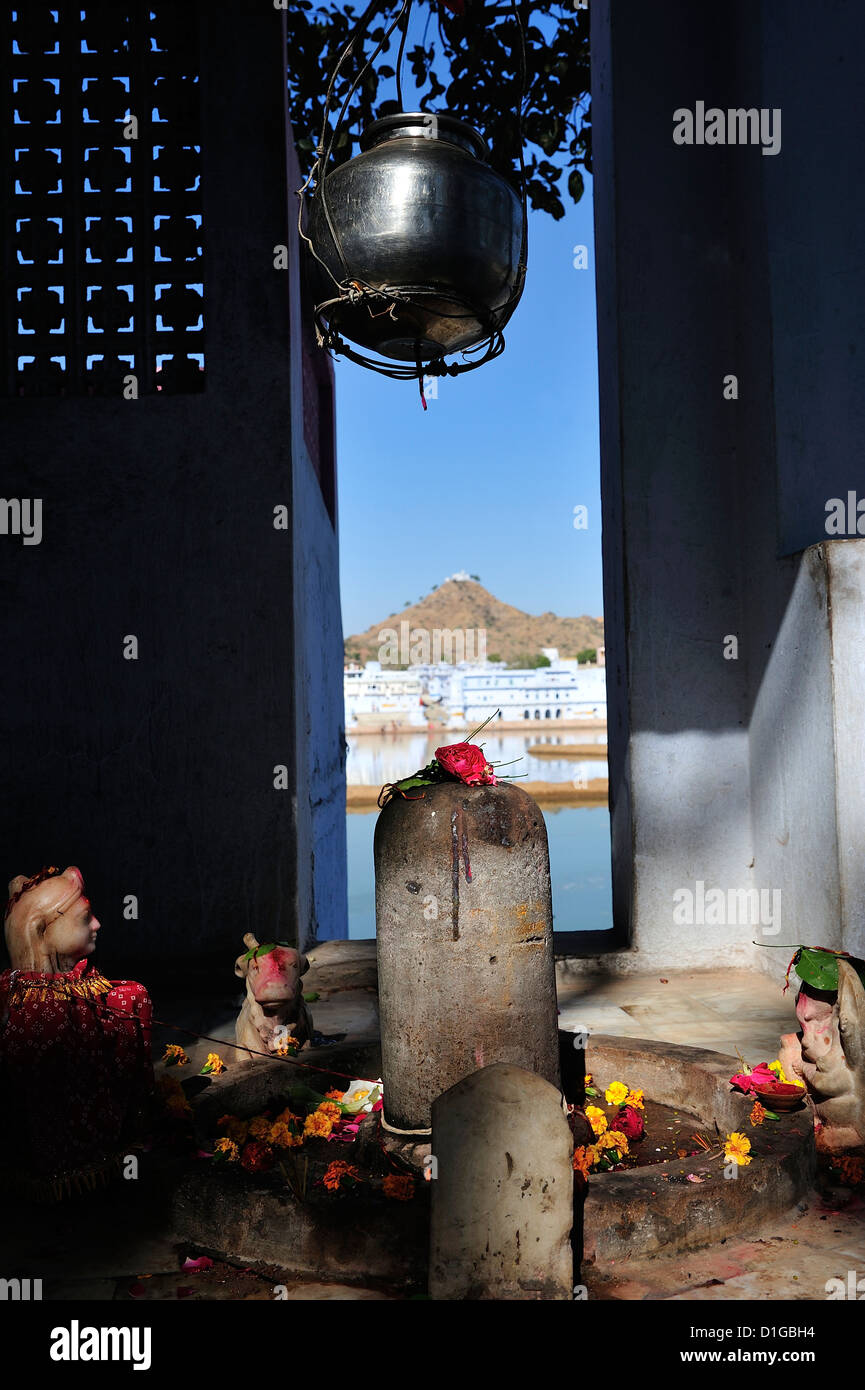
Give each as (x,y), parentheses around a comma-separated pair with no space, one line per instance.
(830,1053)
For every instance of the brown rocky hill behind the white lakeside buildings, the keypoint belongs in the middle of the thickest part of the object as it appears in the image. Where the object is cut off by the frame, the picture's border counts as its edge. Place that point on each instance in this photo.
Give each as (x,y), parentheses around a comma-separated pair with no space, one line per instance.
(465,605)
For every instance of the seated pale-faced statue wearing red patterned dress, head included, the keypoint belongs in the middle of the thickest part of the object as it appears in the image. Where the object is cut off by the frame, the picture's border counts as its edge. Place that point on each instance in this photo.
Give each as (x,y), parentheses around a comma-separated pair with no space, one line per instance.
(76,1072)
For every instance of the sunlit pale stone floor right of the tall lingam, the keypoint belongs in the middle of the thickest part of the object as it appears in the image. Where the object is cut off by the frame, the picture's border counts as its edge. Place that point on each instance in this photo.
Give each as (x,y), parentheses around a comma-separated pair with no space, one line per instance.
(722,1011)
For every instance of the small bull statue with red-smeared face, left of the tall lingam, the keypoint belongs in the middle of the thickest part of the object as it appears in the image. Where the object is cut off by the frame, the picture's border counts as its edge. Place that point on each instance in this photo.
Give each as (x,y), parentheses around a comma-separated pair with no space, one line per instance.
(273,1011)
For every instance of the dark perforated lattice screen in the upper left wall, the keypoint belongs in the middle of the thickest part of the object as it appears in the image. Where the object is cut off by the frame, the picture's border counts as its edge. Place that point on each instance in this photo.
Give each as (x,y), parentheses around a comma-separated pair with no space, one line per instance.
(102,201)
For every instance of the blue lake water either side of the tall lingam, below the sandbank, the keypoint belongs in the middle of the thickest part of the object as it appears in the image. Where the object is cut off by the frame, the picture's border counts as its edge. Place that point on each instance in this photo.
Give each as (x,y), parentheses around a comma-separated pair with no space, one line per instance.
(579,865)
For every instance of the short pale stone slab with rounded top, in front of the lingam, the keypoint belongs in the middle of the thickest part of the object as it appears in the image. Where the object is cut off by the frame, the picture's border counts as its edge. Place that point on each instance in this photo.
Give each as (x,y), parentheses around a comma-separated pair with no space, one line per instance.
(503,1197)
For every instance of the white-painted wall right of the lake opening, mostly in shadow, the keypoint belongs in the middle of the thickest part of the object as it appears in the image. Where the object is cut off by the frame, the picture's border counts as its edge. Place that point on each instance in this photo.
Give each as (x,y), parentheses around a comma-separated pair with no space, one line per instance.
(711,262)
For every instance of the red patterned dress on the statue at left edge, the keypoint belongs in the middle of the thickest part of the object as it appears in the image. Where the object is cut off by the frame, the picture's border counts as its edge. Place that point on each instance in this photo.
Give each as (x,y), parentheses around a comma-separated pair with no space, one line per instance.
(76,1077)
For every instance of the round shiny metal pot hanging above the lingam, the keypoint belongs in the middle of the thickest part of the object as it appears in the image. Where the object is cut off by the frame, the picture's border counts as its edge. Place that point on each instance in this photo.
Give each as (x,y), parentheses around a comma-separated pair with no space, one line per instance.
(425,240)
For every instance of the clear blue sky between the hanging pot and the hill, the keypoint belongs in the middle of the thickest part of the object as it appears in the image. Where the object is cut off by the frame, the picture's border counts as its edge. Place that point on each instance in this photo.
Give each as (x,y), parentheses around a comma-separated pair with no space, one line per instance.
(489,477)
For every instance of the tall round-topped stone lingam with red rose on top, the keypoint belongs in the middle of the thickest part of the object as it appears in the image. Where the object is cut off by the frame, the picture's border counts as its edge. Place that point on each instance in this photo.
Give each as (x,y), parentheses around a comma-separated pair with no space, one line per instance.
(464,921)
